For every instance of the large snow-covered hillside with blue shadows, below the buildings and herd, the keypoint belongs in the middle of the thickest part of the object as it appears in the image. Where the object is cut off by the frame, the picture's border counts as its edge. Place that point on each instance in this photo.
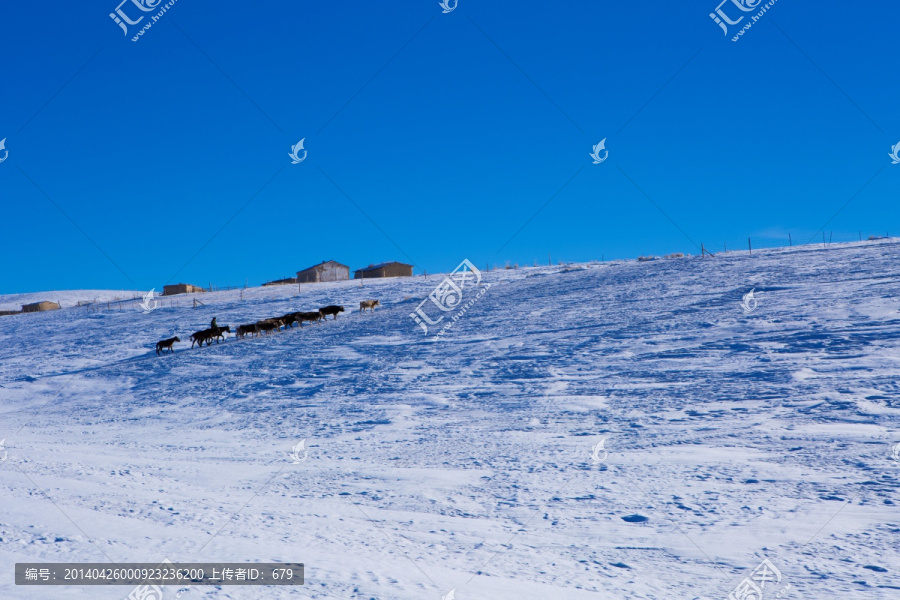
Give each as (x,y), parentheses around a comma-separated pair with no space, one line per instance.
(471,462)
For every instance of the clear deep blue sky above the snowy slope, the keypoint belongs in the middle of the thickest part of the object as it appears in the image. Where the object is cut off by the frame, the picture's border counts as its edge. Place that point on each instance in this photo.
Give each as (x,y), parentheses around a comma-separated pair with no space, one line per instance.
(432,137)
